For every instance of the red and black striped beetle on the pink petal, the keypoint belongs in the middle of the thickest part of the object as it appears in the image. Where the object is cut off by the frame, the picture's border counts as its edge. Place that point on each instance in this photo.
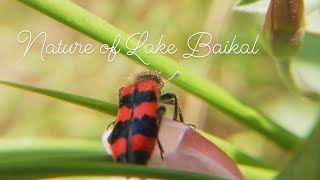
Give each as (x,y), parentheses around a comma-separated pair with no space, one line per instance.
(139,116)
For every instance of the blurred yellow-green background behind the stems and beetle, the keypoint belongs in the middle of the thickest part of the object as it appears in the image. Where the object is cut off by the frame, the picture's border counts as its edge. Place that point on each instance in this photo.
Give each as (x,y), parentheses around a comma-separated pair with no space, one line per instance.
(253,79)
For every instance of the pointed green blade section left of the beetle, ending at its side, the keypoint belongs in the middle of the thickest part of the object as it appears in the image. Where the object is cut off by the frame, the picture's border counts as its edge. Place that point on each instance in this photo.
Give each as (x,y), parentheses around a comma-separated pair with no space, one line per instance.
(90,103)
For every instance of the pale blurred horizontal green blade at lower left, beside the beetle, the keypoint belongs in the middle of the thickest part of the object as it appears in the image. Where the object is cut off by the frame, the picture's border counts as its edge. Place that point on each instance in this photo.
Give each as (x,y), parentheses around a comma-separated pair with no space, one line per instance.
(14,150)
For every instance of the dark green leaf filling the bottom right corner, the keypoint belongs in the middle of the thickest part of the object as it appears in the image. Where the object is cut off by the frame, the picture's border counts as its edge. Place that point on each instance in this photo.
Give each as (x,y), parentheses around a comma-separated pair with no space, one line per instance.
(306,163)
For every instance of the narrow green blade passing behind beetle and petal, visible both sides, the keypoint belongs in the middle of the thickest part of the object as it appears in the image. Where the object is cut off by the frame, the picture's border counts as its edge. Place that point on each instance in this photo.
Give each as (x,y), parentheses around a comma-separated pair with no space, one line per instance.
(111,109)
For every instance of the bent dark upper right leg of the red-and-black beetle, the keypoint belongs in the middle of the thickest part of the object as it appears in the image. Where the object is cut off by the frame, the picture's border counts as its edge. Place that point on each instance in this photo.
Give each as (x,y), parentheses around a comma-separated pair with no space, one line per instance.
(171,99)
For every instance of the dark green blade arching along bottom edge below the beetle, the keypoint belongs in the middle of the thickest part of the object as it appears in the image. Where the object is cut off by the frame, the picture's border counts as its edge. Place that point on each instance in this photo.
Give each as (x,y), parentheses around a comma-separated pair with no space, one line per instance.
(54,168)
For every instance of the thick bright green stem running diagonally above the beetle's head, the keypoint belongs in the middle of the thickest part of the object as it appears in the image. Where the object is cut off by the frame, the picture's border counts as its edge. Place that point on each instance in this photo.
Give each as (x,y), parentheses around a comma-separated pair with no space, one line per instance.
(83,21)
